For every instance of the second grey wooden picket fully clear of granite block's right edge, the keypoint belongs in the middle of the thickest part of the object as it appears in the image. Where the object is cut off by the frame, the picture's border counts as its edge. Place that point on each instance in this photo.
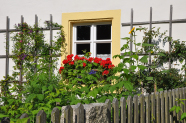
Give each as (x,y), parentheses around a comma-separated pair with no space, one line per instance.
(123,109)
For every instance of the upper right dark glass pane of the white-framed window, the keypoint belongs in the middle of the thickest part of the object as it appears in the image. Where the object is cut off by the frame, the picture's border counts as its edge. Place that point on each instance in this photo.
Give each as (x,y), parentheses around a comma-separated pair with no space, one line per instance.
(103,32)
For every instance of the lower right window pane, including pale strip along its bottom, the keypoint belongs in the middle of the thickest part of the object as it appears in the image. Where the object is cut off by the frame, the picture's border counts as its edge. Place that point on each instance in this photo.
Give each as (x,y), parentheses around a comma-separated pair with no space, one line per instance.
(103,50)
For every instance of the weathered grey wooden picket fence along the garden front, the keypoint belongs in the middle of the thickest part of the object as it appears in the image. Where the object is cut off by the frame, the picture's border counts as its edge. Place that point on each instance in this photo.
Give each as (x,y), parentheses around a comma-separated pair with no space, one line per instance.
(151,108)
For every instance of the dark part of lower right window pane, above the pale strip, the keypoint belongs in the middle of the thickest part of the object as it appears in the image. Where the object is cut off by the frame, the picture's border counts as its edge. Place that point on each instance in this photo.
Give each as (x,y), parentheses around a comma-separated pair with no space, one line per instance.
(103,48)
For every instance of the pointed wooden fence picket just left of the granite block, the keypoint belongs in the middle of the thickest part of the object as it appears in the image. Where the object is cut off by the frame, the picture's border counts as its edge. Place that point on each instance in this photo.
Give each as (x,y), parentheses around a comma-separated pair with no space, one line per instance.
(55,115)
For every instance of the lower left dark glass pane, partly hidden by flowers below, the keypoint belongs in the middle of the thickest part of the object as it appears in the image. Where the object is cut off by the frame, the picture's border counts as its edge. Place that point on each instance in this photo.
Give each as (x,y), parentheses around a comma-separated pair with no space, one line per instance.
(83,47)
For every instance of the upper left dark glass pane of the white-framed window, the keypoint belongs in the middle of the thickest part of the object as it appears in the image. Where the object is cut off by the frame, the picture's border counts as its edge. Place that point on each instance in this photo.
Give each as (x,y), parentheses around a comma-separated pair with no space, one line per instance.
(83,32)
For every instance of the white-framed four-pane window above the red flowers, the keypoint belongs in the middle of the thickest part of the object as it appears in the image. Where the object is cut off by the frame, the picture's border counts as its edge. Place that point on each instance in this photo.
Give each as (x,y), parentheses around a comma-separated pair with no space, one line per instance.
(92,37)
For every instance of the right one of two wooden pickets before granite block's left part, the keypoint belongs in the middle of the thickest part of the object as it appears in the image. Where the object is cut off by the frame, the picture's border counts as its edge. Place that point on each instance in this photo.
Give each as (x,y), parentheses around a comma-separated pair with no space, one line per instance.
(79,113)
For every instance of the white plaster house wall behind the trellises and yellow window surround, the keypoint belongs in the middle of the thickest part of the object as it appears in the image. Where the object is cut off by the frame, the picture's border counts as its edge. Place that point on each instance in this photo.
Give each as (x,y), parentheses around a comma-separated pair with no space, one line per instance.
(43,8)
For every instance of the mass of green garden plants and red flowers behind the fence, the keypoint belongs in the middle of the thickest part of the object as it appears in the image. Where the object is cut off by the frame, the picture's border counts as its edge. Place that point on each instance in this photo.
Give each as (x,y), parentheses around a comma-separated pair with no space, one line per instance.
(42,92)
